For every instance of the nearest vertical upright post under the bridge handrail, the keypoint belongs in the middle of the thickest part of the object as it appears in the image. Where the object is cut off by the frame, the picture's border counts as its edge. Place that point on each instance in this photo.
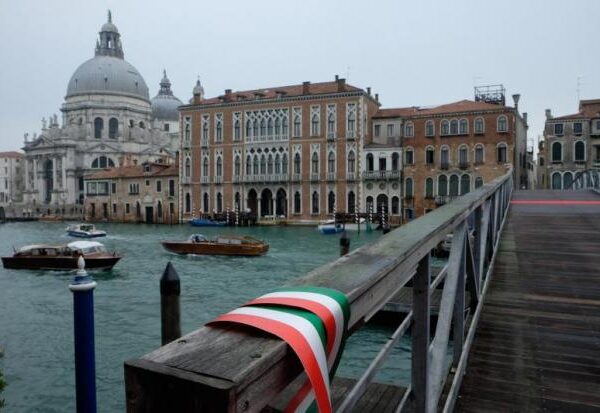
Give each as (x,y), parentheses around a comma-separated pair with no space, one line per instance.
(420,336)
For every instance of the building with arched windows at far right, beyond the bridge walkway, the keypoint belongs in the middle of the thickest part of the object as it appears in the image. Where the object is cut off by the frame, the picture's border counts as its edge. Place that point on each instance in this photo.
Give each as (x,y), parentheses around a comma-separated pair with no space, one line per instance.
(571,145)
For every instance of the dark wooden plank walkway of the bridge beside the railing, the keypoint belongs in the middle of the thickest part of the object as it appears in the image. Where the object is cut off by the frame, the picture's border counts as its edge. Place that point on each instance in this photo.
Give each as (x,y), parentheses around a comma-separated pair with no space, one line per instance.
(537,345)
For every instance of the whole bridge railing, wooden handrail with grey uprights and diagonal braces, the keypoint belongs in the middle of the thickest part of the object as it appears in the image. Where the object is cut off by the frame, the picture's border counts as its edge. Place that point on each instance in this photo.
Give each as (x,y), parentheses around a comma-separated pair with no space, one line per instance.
(246,371)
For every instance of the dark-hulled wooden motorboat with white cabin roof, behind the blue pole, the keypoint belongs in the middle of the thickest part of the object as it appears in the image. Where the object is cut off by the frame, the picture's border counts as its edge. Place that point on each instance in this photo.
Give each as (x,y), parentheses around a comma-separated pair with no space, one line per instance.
(61,257)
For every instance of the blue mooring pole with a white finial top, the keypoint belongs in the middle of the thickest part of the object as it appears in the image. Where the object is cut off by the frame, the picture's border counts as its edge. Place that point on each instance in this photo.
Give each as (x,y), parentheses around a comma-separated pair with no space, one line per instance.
(82,287)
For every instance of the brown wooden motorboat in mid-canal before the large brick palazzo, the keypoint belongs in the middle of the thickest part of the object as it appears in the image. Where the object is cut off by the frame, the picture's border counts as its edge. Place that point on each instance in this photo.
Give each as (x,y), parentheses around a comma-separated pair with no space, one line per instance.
(221,245)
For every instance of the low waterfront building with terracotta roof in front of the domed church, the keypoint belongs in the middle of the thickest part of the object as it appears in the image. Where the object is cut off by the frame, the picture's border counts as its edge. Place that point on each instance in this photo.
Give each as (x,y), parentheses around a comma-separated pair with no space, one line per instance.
(137,193)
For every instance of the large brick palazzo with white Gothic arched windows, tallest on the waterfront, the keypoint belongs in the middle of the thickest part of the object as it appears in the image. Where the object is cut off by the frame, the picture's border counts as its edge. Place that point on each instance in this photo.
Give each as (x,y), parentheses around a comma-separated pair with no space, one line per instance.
(291,151)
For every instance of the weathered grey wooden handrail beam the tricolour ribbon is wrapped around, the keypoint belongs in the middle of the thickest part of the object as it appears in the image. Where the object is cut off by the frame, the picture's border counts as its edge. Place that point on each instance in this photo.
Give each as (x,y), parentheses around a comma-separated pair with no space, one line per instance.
(253,367)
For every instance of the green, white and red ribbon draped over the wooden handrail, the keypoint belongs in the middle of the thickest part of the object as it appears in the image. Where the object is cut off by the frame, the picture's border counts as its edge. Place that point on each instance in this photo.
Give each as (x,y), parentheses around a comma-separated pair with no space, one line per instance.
(313,321)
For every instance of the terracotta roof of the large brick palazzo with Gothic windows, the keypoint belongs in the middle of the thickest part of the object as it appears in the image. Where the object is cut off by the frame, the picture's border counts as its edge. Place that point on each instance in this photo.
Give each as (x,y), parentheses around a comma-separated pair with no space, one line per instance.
(286,91)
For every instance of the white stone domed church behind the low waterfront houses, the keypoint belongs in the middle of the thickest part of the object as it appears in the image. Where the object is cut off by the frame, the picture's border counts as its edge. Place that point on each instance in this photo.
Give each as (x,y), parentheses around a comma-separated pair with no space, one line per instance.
(108,119)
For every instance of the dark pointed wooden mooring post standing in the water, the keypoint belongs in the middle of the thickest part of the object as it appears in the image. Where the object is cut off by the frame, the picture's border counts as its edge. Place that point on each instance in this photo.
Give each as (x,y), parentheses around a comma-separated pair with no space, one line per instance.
(170,319)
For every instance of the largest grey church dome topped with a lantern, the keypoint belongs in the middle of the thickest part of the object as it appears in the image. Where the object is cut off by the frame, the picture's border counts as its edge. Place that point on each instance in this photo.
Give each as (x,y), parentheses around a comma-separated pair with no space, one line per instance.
(108,72)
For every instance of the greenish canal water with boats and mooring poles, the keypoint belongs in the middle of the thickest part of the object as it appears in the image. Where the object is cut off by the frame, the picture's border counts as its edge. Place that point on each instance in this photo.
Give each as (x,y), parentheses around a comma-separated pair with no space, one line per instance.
(36,319)
